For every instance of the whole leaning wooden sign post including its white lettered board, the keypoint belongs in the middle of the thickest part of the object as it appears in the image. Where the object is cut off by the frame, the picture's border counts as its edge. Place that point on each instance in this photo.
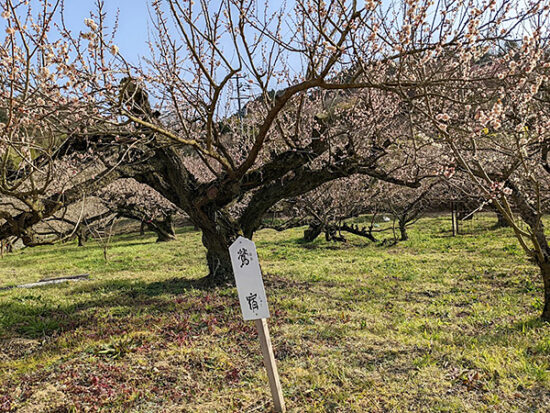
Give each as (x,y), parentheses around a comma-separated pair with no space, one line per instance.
(253,300)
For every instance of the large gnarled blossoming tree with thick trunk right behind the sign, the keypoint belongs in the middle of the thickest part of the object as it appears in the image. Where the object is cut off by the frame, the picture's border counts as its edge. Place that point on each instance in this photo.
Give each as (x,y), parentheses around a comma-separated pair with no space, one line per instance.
(328,79)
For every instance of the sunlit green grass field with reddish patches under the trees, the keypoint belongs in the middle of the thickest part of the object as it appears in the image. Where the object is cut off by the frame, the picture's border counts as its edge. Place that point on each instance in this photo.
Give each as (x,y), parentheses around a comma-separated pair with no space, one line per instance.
(435,323)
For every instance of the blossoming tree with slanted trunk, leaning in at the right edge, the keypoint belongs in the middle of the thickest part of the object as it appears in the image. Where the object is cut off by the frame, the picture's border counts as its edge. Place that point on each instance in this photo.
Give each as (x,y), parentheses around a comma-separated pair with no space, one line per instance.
(494,118)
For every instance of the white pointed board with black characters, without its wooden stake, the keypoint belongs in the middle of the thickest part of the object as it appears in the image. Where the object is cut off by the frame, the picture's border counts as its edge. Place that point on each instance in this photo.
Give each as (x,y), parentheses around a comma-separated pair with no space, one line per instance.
(248,278)
